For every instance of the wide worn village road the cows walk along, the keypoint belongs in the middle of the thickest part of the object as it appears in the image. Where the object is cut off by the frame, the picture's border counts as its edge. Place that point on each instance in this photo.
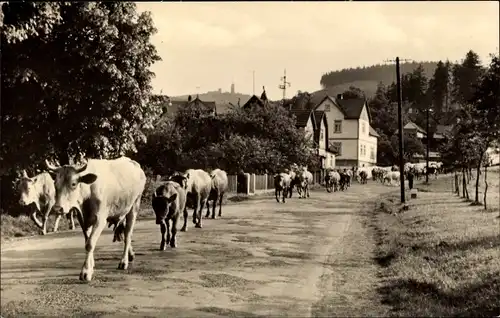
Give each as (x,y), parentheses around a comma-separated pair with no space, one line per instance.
(308,257)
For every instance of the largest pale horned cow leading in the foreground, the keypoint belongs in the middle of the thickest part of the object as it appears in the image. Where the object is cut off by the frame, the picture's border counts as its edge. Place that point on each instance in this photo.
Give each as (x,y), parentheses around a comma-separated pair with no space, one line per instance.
(103,191)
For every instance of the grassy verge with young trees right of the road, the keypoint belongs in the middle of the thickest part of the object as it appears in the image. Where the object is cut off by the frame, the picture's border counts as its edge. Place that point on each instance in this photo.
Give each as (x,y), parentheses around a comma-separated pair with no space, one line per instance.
(442,256)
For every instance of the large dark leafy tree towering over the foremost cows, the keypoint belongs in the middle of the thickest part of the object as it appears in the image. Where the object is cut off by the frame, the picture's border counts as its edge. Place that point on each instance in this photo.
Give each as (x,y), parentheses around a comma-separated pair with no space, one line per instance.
(87,90)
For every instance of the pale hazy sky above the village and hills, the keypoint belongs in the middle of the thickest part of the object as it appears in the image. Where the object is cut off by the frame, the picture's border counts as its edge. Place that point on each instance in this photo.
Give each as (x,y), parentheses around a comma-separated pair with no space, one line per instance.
(207,46)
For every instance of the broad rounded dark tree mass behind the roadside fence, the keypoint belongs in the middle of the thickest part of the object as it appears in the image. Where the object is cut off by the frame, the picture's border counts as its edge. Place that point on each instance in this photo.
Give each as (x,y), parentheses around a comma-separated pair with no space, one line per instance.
(257,139)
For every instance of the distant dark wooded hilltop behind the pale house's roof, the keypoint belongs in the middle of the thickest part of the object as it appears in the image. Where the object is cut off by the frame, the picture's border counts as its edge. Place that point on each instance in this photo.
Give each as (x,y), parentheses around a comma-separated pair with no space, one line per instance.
(367,78)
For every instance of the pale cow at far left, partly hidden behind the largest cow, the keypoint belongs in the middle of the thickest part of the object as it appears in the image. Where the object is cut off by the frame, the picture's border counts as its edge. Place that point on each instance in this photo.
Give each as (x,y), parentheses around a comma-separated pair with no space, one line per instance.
(40,191)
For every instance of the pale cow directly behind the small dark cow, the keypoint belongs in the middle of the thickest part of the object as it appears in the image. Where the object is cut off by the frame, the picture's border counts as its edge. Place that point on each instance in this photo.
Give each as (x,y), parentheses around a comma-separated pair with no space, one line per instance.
(198,185)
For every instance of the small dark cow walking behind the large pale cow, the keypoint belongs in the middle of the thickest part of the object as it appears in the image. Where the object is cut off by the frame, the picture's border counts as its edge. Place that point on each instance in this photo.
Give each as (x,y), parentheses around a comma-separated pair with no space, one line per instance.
(169,201)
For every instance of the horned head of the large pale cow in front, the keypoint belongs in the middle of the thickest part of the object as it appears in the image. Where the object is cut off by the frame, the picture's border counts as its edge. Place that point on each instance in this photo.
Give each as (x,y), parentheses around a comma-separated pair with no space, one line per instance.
(67,181)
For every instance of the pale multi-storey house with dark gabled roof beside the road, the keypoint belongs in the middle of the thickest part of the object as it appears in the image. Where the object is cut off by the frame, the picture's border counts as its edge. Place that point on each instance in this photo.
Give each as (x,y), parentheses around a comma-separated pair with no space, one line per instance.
(351,135)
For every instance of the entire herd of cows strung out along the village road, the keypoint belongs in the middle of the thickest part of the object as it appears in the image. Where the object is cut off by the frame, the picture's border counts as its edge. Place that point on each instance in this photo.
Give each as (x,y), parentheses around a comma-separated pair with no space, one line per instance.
(108,192)
